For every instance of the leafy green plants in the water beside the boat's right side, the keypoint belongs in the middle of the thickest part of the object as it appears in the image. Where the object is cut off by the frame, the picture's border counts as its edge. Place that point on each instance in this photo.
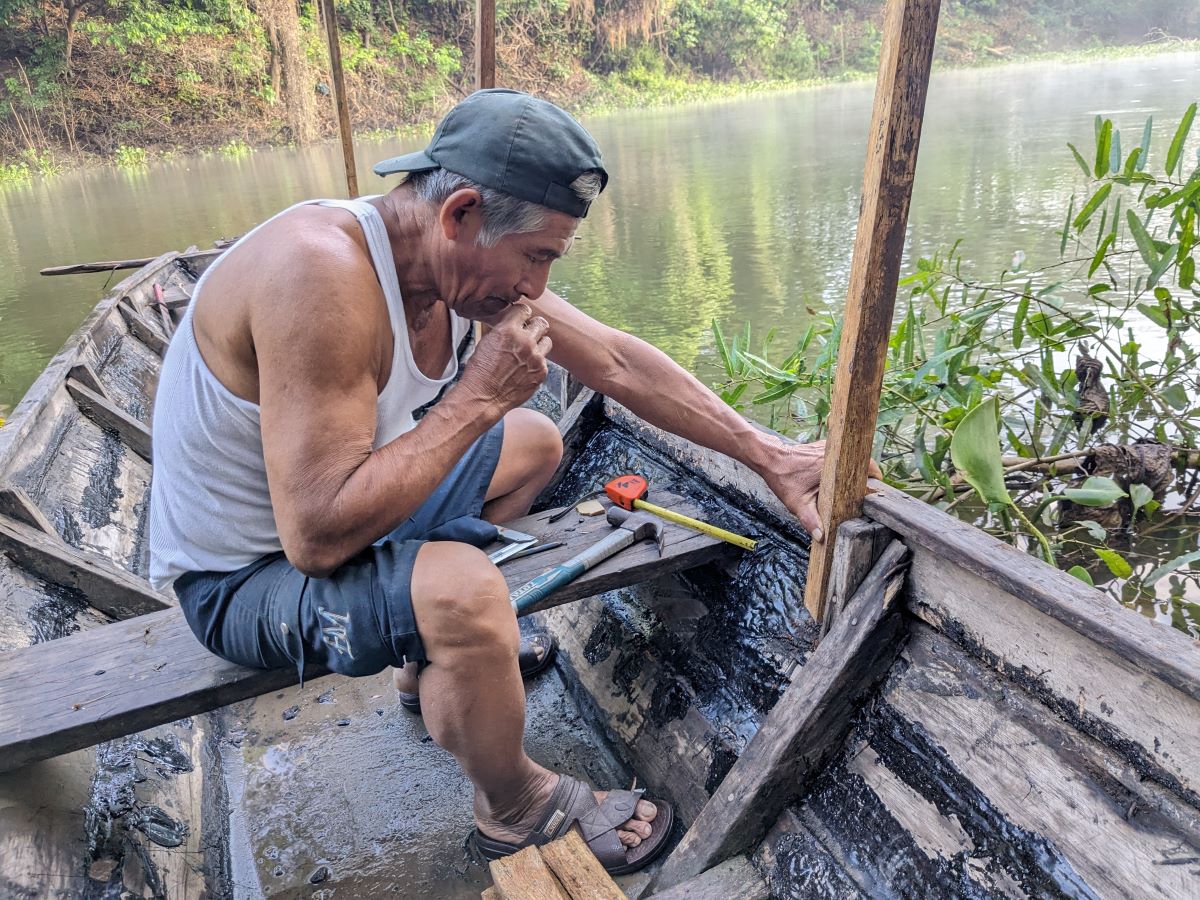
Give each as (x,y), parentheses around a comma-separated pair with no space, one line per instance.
(1057,407)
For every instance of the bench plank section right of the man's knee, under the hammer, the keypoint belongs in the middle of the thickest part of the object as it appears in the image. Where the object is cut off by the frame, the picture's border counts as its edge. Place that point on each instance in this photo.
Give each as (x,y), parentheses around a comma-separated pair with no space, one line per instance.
(682,549)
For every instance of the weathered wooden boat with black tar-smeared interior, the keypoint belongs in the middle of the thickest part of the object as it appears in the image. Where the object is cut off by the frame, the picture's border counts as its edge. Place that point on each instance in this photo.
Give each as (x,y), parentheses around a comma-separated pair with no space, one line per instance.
(982,725)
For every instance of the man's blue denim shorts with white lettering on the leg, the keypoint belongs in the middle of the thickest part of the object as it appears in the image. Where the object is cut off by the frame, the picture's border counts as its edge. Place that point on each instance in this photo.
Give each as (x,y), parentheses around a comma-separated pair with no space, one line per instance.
(361,619)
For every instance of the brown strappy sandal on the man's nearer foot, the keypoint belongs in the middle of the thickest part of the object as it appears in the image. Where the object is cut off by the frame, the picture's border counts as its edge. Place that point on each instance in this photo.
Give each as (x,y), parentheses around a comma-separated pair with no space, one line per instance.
(573,803)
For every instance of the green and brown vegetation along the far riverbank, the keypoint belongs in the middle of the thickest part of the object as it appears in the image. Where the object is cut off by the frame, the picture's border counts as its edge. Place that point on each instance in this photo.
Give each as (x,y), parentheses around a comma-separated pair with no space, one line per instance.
(83,79)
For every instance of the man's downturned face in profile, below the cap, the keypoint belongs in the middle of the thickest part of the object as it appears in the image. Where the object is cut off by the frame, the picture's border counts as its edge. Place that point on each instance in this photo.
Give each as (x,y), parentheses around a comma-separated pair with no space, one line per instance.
(482,283)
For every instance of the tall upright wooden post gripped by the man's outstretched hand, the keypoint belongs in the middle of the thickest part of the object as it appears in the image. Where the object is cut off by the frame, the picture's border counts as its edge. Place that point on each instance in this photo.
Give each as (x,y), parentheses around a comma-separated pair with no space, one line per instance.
(905,59)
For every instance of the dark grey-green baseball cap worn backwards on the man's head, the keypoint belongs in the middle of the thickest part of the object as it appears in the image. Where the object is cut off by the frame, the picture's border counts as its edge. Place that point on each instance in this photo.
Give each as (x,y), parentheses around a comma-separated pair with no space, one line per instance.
(511,142)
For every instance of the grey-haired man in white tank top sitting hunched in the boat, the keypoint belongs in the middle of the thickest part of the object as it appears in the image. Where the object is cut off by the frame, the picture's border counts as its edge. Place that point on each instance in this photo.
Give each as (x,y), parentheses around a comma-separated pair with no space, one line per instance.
(305,518)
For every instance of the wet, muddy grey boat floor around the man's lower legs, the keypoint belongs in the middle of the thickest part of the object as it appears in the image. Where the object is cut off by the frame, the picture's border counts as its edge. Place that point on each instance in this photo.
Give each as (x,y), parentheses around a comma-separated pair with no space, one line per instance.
(337,791)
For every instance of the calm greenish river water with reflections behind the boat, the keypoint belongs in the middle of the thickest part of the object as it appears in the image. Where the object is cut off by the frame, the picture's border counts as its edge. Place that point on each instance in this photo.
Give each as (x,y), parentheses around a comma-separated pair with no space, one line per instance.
(741,211)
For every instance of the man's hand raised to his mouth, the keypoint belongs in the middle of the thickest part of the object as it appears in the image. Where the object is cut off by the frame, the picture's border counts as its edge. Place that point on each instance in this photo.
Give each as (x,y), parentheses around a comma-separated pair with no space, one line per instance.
(511,361)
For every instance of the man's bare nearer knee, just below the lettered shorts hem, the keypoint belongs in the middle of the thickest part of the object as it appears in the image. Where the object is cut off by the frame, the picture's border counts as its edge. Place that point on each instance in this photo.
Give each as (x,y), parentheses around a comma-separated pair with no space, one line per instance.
(460,598)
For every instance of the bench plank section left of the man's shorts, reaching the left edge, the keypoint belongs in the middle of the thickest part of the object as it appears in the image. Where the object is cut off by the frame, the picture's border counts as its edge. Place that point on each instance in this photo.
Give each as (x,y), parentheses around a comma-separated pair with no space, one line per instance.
(118,680)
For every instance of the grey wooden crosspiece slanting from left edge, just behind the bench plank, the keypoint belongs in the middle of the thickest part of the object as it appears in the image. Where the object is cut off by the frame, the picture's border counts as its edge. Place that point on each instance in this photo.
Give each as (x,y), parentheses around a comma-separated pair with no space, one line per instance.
(107,587)
